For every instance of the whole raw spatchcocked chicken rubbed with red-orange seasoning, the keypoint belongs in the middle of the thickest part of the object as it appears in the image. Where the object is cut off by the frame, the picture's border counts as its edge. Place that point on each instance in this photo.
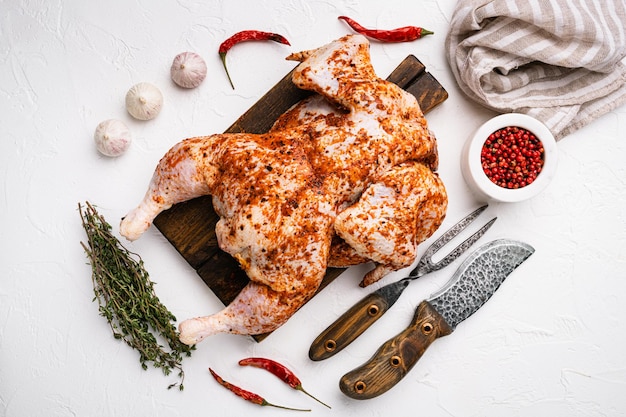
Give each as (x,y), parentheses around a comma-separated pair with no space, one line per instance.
(344,177)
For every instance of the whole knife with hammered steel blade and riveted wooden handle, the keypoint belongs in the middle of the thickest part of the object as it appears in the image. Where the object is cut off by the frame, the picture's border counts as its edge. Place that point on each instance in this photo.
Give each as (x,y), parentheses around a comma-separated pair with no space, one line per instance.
(474,282)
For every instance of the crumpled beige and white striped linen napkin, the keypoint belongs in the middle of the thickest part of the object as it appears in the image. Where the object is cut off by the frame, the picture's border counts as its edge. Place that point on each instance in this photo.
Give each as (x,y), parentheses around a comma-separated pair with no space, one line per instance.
(560,61)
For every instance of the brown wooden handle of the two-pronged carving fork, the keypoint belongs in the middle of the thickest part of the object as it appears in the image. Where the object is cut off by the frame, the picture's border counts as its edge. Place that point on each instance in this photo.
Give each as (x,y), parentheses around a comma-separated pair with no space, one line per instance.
(348,326)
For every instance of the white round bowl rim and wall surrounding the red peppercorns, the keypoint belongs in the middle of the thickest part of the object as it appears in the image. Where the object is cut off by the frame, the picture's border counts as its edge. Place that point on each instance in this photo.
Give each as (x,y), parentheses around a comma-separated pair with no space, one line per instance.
(476,178)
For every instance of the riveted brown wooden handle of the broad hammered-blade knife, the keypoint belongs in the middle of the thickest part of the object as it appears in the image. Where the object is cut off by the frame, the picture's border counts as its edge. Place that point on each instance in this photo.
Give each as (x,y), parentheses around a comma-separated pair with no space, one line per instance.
(395,358)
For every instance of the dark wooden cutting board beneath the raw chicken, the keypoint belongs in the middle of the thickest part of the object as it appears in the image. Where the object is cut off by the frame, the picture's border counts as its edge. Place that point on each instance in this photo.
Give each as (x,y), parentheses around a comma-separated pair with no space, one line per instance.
(190,226)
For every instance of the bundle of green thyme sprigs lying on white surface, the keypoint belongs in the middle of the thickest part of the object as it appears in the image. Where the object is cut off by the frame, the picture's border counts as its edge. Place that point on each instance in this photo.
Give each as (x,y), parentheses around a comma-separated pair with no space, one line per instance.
(127,299)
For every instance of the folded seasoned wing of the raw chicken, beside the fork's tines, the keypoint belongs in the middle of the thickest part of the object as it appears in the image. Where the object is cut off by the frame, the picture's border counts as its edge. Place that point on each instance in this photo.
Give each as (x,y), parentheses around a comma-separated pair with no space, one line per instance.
(394,214)
